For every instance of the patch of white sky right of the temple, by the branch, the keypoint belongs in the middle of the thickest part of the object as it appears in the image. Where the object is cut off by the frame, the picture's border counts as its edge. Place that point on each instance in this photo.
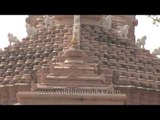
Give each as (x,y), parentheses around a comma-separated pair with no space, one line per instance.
(145,27)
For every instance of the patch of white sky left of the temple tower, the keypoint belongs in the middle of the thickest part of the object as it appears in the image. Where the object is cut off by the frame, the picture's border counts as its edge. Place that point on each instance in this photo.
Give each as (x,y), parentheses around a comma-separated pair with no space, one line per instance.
(14,24)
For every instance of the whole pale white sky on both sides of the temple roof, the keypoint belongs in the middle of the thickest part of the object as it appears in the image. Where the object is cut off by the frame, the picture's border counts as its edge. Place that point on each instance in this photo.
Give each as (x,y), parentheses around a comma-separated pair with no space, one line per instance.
(15,24)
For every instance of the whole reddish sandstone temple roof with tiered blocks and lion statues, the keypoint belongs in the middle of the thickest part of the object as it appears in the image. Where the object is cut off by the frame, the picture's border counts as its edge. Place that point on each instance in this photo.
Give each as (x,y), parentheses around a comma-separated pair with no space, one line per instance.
(79,60)
